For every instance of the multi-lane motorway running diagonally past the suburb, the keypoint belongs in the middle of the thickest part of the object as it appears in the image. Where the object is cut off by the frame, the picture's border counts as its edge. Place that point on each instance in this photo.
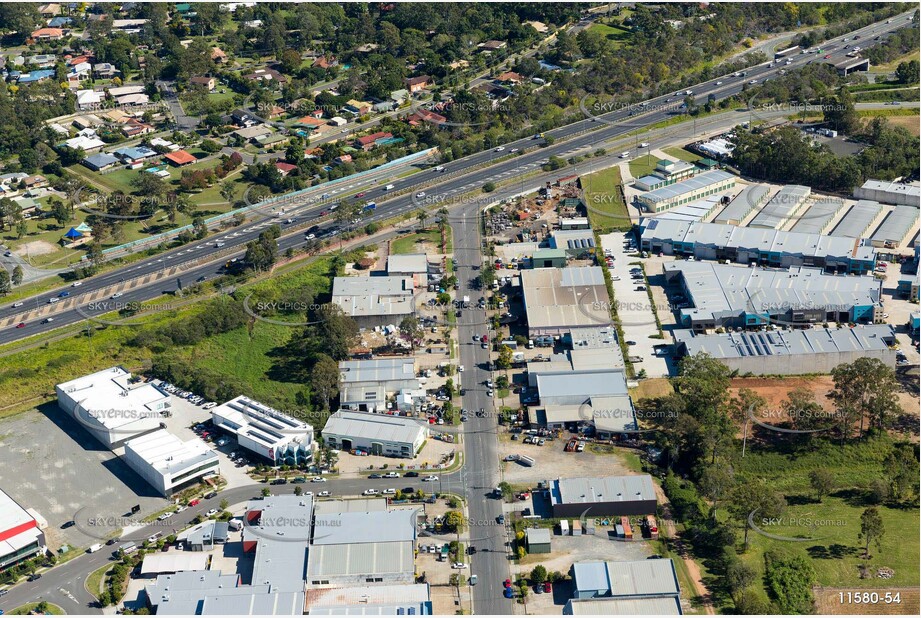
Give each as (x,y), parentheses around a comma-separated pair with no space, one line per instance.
(163,273)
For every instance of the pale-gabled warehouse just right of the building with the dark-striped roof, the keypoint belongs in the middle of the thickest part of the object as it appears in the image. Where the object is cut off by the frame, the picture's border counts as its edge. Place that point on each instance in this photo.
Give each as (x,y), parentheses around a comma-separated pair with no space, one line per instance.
(376,434)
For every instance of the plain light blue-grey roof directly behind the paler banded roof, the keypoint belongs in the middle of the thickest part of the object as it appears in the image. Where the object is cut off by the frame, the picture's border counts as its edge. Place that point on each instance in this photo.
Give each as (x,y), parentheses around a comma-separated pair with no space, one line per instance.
(368,527)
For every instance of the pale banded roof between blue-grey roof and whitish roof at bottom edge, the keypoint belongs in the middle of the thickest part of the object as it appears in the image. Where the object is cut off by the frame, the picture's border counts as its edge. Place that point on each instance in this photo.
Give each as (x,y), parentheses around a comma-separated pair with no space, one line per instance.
(365,559)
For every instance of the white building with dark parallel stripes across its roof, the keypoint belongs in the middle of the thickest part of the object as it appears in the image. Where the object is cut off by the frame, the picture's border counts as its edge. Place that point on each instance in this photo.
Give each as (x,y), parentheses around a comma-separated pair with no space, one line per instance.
(270,434)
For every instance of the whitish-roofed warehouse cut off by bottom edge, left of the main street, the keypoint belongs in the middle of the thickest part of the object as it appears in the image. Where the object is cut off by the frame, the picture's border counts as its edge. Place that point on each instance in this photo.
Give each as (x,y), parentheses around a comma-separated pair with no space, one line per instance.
(380,600)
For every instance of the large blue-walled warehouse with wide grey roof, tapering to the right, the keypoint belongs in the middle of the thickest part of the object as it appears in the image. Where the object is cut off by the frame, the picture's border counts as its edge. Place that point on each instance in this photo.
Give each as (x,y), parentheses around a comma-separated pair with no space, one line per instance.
(730,296)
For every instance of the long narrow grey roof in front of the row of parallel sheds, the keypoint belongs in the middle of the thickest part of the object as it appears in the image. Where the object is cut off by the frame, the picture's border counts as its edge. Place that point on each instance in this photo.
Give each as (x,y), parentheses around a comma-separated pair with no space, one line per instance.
(756,239)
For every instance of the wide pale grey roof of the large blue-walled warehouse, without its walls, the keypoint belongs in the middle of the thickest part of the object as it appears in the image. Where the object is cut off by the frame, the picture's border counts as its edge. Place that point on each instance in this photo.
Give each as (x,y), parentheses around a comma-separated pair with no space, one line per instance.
(720,291)
